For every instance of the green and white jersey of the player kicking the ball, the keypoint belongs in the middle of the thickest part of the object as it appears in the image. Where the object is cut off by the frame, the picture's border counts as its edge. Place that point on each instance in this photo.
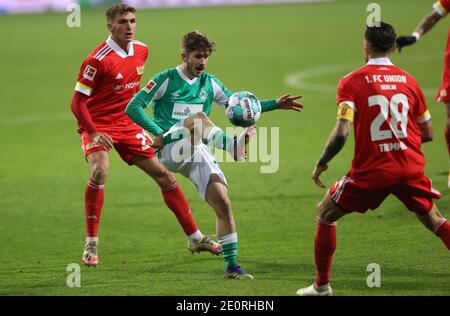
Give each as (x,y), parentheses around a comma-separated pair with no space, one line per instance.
(175,97)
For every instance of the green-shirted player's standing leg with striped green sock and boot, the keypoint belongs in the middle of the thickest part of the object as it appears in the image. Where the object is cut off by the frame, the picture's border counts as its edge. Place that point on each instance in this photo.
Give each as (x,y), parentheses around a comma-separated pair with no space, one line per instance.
(217,196)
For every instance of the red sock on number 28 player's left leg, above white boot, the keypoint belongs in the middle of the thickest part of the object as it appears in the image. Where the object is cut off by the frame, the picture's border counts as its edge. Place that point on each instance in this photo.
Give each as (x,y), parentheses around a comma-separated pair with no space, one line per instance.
(324,247)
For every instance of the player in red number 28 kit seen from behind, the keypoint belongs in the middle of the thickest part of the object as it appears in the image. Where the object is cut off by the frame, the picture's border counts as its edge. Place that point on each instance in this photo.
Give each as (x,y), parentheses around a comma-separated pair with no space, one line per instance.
(391,120)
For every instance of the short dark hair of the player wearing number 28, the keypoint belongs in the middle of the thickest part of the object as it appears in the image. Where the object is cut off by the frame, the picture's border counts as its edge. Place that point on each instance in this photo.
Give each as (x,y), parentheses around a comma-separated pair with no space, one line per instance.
(381,38)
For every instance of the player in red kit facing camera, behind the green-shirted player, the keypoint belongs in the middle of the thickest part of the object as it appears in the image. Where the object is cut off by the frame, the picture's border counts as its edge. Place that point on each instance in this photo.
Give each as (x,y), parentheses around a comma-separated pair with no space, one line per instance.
(108,79)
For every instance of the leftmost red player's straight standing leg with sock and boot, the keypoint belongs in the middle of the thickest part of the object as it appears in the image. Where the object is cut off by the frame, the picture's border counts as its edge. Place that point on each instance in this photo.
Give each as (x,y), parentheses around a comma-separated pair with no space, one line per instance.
(94,196)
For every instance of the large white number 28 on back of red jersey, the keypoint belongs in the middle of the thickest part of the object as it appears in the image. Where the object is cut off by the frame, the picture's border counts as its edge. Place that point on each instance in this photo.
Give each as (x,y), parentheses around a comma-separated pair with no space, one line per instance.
(399,116)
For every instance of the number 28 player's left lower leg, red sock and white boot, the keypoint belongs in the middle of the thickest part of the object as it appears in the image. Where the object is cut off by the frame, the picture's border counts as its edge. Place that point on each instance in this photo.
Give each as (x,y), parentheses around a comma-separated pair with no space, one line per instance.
(324,247)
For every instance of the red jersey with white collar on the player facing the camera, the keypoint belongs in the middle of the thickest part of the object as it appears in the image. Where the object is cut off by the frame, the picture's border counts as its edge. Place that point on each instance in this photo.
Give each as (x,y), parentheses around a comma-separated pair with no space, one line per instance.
(110,77)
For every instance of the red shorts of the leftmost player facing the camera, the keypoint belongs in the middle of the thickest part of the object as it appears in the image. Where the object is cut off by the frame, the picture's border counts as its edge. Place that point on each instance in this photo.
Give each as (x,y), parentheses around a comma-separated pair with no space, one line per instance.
(128,143)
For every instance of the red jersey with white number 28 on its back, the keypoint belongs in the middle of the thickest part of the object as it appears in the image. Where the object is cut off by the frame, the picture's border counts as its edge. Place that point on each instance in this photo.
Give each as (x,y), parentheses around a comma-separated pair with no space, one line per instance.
(388,104)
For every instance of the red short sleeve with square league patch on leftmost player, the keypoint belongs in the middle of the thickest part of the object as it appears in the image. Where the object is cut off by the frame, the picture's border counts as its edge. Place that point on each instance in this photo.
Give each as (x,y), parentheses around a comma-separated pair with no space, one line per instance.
(89,76)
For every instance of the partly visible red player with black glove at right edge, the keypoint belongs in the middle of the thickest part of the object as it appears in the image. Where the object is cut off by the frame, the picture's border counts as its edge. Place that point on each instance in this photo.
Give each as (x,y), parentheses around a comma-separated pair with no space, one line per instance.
(440,10)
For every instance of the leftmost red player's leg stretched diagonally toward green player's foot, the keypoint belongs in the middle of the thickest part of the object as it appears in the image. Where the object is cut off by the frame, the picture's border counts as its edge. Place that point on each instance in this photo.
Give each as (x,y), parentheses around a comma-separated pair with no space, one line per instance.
(176,201)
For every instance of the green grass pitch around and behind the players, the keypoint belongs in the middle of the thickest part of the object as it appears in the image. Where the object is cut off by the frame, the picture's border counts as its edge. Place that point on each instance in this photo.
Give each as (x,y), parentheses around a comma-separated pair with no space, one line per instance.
(142,249)
